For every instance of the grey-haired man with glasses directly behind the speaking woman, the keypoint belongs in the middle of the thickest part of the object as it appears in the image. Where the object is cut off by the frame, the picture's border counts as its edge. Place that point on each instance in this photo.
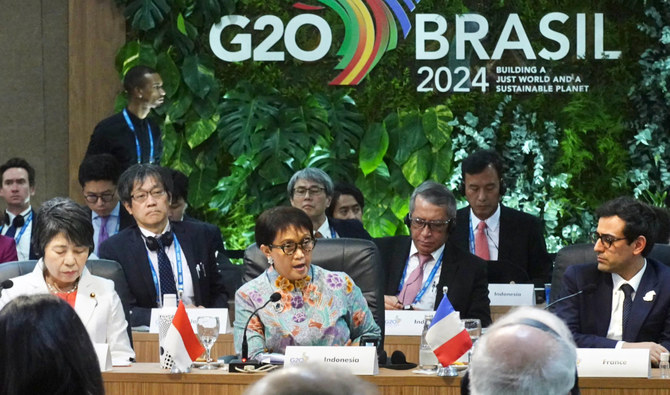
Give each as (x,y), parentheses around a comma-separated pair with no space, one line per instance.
(311,190)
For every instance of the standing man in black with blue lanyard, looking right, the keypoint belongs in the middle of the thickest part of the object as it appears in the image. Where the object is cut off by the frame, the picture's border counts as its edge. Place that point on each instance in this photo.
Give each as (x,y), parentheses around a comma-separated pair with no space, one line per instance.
(131,136)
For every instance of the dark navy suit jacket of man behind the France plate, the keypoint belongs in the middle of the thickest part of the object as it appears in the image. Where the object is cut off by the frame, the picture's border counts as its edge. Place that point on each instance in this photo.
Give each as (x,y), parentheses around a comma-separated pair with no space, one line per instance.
(588,315)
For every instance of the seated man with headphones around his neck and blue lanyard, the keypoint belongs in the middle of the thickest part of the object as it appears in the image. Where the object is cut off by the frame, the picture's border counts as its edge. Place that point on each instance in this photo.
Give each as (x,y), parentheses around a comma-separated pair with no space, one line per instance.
(159,257)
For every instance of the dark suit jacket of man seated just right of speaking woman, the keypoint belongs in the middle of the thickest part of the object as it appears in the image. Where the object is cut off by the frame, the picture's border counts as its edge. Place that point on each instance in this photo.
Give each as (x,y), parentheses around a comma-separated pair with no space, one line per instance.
(462,272)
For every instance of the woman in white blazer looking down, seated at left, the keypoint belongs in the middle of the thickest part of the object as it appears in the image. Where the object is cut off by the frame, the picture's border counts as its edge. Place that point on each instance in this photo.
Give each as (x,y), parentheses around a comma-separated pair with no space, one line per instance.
(64,239)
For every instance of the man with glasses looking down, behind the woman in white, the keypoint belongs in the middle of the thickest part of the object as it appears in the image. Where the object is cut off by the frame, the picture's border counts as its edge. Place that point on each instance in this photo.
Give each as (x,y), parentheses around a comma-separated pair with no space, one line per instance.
(98,175)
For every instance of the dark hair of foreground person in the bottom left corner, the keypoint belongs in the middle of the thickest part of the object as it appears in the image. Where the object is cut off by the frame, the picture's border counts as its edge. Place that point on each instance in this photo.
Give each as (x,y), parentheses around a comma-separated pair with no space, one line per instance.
(45,349)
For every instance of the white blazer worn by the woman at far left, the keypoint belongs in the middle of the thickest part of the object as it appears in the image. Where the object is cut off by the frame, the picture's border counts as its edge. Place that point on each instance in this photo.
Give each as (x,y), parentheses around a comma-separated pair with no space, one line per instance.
(97,305)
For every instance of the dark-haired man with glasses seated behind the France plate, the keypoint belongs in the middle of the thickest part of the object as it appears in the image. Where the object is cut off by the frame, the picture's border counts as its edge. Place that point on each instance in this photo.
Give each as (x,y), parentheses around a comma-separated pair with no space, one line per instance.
(625,301)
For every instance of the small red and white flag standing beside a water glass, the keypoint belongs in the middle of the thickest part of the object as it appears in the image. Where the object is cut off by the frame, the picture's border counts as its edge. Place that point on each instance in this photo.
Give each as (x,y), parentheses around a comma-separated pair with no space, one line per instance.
(180,345)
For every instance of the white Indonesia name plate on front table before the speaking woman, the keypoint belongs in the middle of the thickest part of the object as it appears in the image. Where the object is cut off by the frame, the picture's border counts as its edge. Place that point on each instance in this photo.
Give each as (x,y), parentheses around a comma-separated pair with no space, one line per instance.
(358,360)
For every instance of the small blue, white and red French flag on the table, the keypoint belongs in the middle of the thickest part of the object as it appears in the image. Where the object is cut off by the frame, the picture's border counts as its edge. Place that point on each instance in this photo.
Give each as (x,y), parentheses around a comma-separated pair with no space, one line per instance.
(447,336)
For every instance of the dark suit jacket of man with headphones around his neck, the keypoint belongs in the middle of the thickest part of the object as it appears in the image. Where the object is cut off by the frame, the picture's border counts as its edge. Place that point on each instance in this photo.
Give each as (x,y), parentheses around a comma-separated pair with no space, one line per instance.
(128,248)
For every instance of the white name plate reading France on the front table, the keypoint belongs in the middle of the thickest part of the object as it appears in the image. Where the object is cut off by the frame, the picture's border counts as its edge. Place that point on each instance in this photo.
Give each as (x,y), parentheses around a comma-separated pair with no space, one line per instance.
(611,362)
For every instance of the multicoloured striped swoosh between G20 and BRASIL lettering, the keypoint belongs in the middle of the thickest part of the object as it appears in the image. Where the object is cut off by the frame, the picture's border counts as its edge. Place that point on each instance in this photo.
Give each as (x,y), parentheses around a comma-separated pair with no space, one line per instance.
(370,31)
